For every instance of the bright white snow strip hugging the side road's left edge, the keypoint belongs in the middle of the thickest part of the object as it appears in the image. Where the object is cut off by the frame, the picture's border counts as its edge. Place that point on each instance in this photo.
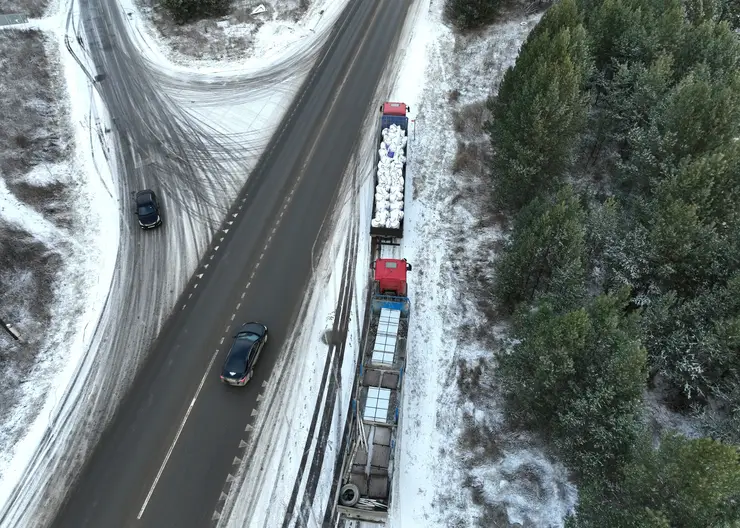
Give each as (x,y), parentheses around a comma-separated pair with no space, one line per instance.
(89,260)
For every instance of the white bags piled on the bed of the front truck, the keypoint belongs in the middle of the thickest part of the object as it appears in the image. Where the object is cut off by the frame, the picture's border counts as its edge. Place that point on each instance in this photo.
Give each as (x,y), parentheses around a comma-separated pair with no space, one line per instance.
(389,190)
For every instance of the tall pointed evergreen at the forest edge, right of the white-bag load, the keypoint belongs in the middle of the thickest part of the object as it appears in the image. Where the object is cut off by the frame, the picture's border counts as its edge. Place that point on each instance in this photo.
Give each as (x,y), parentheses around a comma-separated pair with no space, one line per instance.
(538,113)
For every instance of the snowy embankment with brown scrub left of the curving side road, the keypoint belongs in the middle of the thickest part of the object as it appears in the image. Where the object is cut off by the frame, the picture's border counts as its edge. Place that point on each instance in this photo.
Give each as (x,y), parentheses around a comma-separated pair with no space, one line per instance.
(60,211)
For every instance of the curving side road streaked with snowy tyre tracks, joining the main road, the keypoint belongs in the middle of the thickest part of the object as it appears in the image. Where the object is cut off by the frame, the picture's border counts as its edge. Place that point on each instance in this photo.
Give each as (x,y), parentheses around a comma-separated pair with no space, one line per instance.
(156,141)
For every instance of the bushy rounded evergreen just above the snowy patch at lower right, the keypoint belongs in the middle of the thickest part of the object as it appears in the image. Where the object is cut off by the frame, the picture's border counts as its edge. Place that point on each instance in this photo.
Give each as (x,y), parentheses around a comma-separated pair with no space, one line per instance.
(579,376)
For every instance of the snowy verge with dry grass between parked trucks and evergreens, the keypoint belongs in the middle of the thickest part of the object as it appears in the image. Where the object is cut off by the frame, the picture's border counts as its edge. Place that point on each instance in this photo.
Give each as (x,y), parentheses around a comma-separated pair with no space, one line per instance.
(463,468)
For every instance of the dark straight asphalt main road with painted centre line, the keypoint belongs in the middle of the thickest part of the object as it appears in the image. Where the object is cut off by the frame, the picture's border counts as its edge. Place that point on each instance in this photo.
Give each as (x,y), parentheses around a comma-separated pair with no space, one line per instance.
(259,271)
